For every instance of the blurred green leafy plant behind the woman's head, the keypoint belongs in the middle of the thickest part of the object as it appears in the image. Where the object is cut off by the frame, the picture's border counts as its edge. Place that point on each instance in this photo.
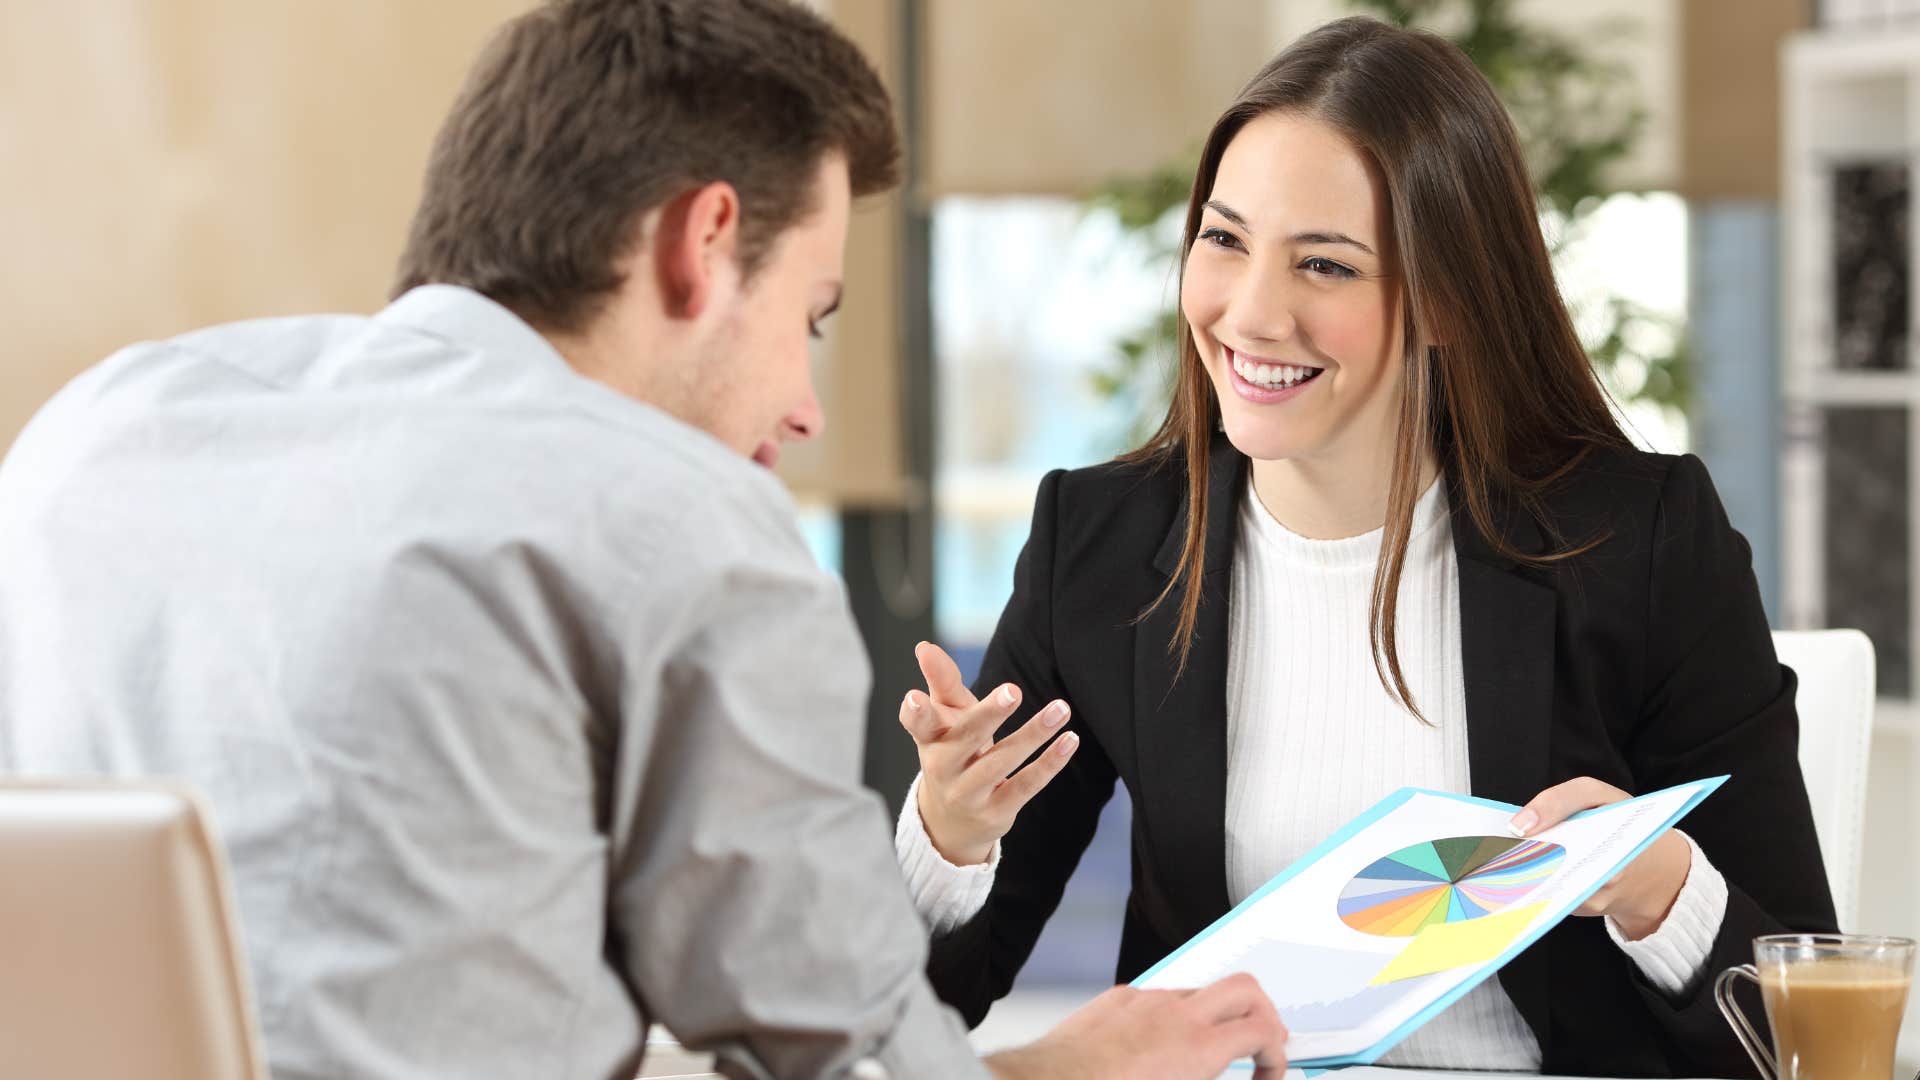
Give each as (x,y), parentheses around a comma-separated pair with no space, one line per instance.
(1577,118)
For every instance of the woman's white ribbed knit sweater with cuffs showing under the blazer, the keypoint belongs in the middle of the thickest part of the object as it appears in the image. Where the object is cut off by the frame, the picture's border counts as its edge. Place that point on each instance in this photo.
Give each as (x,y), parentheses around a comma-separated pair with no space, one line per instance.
(1314,741)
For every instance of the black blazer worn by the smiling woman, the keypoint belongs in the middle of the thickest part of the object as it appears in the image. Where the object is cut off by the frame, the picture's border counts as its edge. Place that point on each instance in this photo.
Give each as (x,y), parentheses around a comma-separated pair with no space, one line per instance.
(1644,662)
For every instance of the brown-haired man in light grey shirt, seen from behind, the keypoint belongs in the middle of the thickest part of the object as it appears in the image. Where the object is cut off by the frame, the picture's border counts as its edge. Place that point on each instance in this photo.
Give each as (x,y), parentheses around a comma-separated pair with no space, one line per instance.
(496,650)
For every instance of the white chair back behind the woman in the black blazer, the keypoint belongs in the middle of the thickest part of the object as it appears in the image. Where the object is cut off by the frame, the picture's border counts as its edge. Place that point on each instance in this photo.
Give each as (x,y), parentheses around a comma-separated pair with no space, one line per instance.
(1836,716)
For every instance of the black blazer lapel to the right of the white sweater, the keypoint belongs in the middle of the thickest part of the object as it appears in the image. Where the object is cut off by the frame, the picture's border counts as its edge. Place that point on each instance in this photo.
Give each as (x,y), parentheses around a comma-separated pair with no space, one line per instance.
(1506,629)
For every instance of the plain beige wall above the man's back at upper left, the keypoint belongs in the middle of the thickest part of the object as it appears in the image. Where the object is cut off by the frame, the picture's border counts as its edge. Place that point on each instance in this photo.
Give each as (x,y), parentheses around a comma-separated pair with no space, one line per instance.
(181,162)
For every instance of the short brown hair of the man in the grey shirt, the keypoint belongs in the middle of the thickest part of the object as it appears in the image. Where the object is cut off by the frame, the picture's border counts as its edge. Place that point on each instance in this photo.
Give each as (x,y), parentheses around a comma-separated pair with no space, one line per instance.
(587,114)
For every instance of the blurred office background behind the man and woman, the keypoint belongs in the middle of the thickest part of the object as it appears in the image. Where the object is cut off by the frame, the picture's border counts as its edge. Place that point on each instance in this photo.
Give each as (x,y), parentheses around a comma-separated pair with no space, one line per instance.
(1727,184)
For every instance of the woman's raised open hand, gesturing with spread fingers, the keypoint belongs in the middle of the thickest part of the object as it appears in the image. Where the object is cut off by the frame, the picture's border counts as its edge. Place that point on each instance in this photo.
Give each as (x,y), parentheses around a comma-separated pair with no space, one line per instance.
(971,787)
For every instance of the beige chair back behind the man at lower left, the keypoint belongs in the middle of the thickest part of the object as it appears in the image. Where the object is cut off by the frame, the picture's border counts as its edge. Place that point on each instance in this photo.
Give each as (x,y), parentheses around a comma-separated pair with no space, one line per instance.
(122,956)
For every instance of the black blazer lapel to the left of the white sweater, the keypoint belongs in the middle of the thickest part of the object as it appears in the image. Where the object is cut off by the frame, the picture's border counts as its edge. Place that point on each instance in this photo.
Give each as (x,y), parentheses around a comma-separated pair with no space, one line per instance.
(1182,725)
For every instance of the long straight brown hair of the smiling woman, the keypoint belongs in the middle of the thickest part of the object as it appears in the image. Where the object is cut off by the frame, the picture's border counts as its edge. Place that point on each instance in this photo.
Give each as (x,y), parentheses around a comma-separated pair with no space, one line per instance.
(1508,401)
